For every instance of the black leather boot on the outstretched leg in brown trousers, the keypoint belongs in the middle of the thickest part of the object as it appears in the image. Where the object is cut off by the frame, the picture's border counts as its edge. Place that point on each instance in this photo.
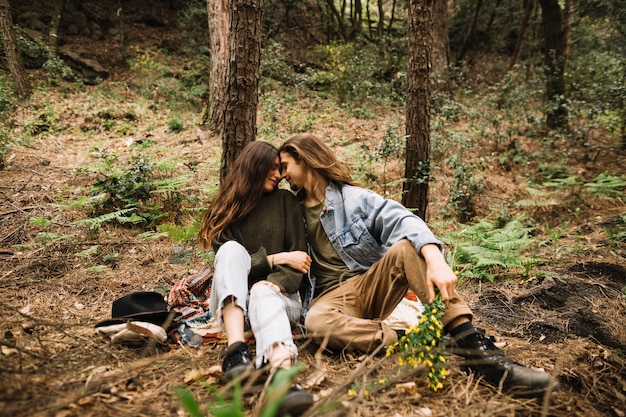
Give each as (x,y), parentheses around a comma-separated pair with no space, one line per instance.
(486,360)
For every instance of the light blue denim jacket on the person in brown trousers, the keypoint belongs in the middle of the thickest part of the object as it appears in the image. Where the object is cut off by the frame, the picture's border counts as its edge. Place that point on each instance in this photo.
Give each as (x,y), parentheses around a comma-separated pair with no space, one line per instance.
(362,225)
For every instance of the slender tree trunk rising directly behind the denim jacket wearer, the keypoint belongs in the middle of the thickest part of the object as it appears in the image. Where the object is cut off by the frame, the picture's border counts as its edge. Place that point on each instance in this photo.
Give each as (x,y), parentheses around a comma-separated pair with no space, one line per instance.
(417,173)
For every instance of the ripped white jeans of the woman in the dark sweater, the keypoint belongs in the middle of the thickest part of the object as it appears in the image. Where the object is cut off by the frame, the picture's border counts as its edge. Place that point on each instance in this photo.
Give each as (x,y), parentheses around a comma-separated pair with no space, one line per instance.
(269,313)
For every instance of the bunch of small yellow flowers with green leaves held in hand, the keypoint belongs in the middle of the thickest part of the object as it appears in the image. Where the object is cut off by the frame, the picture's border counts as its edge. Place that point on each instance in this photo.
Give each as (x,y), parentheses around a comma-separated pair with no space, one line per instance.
(421,345)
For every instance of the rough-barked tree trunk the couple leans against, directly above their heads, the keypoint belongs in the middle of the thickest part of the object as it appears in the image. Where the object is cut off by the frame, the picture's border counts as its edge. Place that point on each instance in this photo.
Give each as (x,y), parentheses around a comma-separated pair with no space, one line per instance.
(242,76)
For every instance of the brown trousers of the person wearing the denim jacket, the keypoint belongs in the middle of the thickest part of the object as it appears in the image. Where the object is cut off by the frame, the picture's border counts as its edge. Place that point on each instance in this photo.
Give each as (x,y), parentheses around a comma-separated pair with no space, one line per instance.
(350,315)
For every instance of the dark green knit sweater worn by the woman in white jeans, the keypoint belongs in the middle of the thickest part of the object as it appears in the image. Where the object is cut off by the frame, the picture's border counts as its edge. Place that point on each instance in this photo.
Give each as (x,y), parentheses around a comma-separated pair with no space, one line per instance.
(275,225)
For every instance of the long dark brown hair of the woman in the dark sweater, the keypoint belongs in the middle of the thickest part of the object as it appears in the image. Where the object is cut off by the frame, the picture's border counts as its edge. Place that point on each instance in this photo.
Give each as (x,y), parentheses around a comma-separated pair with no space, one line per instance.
(240,192)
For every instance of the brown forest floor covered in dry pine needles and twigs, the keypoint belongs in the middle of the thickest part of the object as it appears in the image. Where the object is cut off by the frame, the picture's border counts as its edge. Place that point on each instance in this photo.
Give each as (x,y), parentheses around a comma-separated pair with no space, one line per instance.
(568,319)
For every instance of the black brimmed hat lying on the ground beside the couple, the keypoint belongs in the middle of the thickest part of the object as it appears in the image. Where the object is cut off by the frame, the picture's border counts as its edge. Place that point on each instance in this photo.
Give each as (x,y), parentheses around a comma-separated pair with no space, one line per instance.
(142,306)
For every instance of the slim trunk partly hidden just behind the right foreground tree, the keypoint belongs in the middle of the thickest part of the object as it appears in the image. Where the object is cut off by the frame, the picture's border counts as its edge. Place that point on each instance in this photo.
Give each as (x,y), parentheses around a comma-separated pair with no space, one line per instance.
(441,50)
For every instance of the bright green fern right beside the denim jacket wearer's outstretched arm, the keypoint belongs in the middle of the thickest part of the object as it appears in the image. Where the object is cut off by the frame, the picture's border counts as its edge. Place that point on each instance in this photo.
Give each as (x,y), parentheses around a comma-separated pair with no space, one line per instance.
(481,249)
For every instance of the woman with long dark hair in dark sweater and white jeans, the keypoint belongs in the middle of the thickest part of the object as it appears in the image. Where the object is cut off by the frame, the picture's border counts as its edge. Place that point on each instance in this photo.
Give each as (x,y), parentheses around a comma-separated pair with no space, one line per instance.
(257,233)
